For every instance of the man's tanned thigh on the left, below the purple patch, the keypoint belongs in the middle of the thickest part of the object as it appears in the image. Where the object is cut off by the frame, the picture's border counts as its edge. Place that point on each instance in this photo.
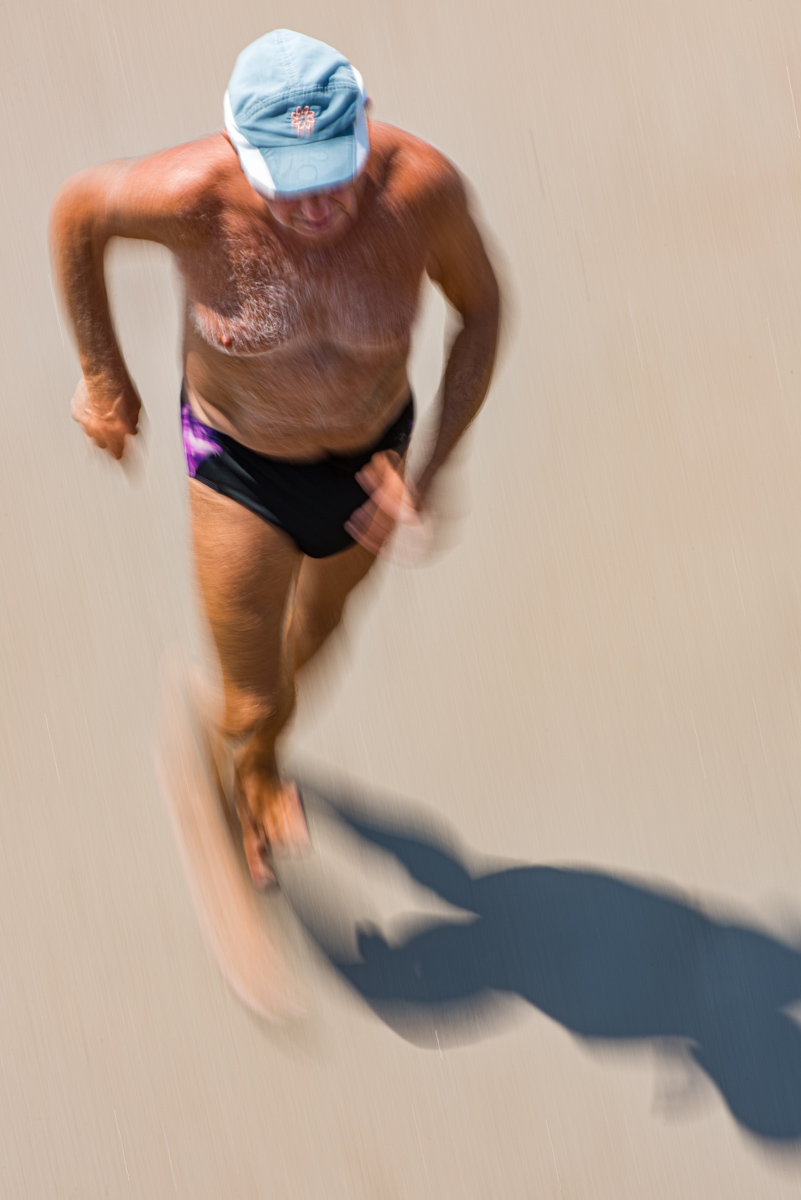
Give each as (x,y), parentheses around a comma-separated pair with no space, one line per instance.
(246,571)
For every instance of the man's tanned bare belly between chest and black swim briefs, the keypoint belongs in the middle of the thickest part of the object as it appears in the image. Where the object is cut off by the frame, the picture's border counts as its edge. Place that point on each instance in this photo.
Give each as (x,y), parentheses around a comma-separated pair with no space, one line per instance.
(299,405)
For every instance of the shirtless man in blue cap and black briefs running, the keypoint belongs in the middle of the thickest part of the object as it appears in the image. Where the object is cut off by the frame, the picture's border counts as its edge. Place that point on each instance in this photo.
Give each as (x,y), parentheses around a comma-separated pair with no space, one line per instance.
(303,233)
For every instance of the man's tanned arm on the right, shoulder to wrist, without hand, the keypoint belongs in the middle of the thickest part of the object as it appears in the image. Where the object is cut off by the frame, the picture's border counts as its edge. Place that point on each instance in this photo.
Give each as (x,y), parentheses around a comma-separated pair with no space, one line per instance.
(460,266)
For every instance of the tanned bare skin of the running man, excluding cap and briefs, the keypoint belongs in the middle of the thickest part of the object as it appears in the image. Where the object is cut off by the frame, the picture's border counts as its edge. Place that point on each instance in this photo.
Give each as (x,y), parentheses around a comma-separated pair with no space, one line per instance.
(297,335)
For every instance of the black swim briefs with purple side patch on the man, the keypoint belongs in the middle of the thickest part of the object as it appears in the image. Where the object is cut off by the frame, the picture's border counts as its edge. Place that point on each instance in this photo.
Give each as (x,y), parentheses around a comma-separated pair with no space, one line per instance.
(310,501)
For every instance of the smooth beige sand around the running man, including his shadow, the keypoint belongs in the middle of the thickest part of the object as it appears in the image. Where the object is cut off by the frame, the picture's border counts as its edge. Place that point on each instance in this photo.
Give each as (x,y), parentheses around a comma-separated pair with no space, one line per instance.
(605,674)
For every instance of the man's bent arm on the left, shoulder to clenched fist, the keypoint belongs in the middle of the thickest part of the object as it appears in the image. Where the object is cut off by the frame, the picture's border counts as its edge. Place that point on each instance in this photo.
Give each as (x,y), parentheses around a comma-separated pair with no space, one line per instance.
(140,199)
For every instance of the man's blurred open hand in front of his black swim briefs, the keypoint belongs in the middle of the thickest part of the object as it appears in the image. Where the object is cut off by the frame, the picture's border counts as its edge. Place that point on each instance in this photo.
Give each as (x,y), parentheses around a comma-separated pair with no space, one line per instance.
(393,502)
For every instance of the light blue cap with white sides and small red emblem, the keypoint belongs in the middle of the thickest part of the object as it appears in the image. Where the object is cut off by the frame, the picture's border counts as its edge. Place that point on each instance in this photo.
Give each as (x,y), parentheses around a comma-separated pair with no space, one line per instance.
(296,115)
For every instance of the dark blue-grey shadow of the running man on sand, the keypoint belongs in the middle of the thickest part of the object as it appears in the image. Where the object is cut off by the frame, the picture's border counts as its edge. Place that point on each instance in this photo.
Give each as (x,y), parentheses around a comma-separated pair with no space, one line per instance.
(611,961)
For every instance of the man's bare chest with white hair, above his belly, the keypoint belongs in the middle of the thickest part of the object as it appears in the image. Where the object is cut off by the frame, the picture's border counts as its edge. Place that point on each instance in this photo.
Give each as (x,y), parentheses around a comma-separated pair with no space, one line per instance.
(249,296)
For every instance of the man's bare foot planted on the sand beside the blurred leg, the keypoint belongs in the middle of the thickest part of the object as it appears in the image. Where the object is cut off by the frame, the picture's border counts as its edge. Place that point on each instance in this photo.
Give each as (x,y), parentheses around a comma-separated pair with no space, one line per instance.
(280,829)
